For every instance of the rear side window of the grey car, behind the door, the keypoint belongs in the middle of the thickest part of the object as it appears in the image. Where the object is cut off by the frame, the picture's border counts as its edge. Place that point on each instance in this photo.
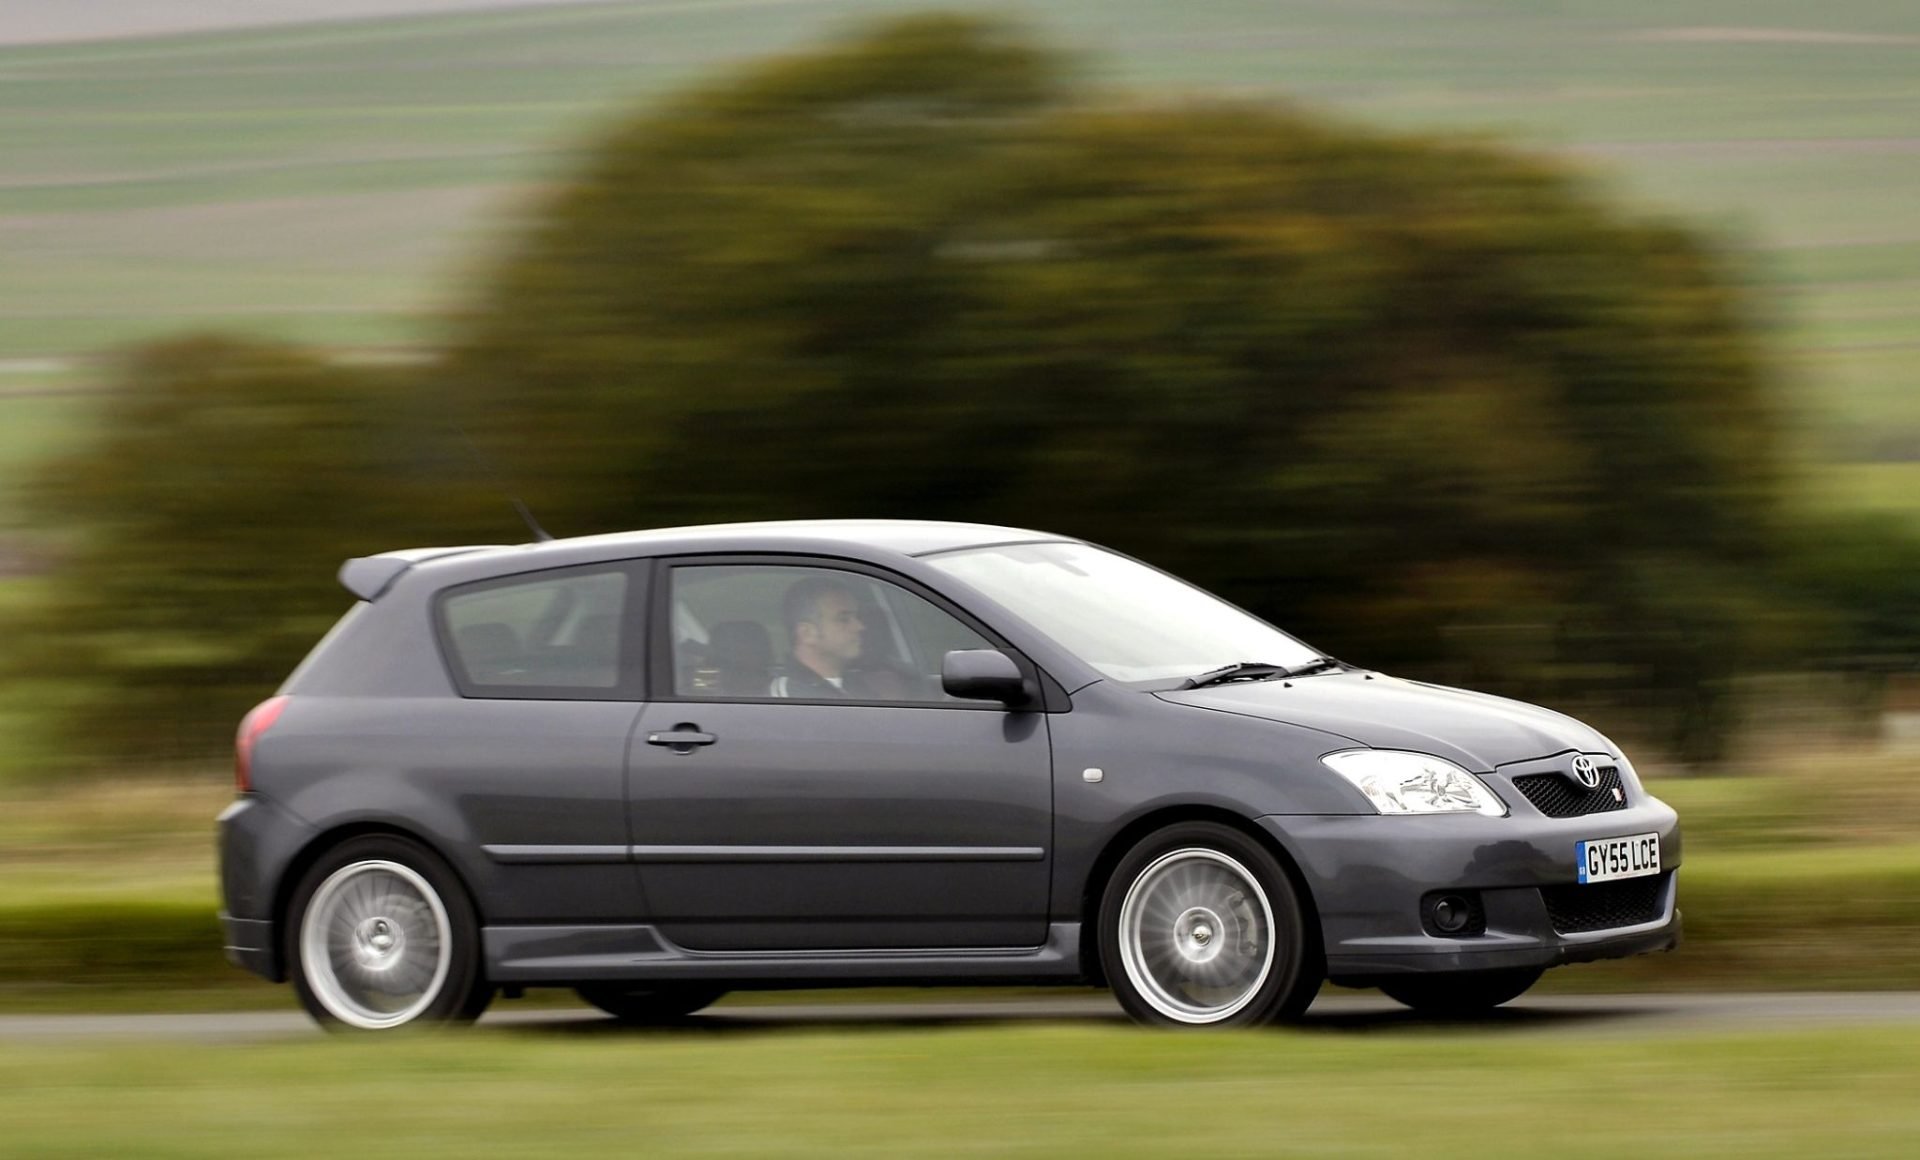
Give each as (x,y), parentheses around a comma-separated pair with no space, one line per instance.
(539,633)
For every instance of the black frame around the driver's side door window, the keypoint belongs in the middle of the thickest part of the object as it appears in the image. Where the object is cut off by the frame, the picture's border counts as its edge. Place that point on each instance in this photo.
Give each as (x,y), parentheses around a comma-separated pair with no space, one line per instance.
(660,629)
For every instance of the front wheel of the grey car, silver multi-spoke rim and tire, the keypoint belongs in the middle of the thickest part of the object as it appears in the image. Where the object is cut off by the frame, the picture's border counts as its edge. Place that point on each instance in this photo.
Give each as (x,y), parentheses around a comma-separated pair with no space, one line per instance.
(1203,927)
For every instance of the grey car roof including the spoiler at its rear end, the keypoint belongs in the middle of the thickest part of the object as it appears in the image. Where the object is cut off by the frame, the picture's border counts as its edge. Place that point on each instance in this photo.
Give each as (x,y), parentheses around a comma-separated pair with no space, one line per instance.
(370,577)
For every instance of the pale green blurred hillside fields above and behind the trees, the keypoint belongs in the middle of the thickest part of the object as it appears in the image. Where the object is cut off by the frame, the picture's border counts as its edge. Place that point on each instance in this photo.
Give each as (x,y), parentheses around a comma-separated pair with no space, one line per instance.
(335,183)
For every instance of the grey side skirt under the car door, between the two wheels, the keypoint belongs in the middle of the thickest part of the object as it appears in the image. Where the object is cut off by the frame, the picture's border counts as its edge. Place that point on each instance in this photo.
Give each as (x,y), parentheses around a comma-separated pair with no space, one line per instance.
(642,954)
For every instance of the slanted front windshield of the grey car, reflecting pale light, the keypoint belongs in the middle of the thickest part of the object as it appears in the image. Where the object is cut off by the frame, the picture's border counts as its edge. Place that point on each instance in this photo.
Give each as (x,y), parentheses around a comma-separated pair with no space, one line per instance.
(1128,621)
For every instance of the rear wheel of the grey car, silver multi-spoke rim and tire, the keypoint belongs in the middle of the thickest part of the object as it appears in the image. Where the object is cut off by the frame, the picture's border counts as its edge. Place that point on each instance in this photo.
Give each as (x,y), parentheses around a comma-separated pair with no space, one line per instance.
(381,936)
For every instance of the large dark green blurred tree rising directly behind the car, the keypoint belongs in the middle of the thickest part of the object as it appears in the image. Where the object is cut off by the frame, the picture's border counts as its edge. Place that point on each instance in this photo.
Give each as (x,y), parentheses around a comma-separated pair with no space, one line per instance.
(1429,404)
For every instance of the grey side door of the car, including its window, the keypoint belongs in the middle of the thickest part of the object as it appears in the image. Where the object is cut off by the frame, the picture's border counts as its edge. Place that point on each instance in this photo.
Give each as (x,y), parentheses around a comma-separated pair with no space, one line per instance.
(777,810)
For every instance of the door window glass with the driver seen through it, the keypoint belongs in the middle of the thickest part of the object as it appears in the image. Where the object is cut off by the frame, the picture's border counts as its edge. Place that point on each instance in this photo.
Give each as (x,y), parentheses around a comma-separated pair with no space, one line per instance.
(809,635)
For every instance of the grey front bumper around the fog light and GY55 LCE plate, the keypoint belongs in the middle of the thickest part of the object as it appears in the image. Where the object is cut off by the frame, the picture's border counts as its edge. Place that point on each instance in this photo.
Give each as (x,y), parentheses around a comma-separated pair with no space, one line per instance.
(1368,877)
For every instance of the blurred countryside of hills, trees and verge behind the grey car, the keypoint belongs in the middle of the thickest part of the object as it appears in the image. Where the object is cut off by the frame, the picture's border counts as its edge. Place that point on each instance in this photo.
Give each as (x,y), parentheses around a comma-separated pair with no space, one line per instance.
(1568,352)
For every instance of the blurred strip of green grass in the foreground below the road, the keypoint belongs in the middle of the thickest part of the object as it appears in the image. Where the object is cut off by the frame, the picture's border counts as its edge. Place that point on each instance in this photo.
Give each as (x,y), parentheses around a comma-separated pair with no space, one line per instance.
(1003,1092)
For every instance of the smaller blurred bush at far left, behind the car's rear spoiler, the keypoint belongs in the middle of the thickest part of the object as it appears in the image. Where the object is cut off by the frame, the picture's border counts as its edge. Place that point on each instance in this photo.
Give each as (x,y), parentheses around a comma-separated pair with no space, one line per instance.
(203,531)
